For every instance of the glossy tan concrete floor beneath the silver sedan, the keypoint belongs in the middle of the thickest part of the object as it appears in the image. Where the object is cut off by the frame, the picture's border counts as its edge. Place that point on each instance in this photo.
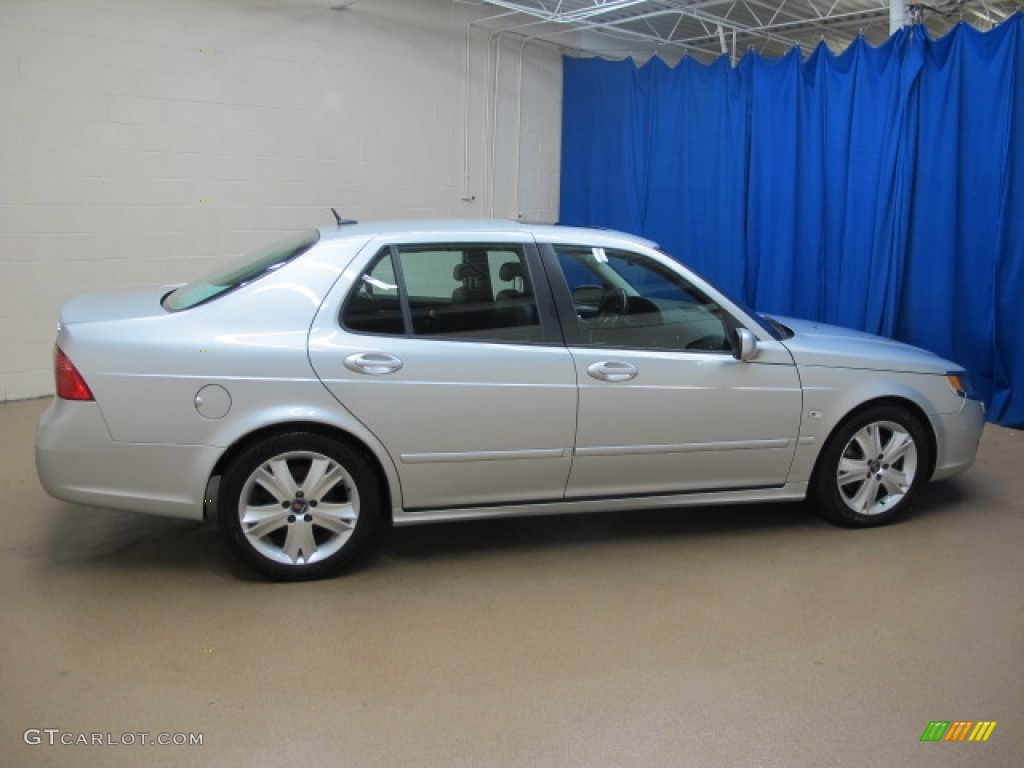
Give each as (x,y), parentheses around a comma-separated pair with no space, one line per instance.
(747,636)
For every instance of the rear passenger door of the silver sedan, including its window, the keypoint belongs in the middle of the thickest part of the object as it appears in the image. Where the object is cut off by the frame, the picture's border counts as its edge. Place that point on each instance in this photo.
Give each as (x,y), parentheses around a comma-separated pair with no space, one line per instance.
(449,352)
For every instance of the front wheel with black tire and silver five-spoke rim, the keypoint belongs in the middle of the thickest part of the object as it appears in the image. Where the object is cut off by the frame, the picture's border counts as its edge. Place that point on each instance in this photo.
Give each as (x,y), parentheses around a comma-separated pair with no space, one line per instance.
(872,468)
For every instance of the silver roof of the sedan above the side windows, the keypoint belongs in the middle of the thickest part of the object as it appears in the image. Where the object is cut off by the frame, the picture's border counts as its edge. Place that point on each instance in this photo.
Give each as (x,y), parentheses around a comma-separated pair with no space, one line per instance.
(481,227)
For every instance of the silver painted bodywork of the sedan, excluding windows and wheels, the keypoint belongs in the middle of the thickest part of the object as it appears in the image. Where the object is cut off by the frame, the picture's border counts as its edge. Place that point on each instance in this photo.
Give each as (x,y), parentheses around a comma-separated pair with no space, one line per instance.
(464,430)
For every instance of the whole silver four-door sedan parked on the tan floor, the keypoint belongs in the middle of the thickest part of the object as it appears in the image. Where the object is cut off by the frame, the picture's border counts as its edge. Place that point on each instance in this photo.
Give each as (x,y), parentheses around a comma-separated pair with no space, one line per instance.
(415,372)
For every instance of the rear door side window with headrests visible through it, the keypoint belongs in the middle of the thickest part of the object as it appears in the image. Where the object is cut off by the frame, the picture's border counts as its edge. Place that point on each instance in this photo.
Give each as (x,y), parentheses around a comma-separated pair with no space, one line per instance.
(476,292)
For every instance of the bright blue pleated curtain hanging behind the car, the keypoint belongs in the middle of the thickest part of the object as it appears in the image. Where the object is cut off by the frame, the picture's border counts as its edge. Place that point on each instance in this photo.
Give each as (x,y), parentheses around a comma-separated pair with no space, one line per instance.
(881,190)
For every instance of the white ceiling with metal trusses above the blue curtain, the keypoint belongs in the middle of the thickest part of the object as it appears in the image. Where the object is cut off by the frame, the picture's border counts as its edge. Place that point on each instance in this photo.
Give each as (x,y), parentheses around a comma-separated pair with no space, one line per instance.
(707,29)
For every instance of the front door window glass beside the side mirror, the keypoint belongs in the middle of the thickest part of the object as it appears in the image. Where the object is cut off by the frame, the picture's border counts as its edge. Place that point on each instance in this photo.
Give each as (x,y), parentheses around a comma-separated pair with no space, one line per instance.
(625,300)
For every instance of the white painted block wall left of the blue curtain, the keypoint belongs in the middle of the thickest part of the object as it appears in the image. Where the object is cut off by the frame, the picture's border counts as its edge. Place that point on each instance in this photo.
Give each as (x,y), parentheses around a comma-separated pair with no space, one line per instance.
(144,141)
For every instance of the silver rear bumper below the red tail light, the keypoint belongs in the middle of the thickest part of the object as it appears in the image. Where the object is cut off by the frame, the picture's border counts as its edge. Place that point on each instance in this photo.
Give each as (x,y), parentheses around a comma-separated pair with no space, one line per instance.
(78,462)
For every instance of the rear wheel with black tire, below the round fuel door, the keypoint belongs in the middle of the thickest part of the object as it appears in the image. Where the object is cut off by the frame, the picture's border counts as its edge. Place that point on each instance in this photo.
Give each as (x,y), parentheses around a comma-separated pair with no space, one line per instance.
(298,506)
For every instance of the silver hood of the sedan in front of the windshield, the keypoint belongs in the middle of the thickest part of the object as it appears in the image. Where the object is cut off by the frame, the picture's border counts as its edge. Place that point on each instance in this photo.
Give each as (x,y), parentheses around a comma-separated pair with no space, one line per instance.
(832,347)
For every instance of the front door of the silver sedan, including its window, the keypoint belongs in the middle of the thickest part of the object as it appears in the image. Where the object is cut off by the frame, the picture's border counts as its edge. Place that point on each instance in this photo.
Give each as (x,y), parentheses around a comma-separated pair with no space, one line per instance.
(664,405)
